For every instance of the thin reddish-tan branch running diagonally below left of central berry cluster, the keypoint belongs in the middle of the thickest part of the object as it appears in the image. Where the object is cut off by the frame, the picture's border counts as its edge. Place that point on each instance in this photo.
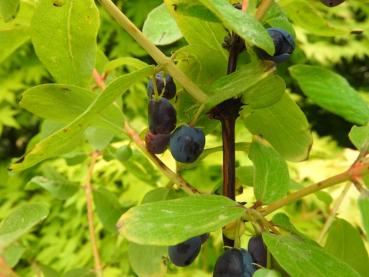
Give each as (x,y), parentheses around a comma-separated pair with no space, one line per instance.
(175,178)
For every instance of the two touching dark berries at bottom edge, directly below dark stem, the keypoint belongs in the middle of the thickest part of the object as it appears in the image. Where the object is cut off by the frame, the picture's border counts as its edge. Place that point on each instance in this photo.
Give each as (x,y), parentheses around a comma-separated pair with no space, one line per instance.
(240,262)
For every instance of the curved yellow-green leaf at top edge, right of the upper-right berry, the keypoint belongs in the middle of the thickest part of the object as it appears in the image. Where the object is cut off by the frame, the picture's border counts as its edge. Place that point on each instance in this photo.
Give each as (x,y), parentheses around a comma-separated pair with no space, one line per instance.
(303,14)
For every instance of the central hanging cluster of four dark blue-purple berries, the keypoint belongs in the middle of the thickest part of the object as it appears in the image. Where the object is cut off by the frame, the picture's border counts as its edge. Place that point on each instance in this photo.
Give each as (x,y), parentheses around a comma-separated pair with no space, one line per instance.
(186,143)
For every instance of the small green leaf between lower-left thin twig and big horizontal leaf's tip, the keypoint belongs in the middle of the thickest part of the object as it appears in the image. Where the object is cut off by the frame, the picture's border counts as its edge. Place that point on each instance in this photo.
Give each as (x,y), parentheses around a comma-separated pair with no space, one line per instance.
(108,208)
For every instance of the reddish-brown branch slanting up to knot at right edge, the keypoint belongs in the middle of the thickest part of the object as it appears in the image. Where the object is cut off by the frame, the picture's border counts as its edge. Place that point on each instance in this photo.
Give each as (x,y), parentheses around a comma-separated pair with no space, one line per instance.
(358,169)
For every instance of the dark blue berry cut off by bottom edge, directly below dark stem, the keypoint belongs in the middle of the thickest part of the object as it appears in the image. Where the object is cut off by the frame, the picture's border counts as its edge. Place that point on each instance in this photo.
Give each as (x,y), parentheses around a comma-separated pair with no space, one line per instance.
(234,263)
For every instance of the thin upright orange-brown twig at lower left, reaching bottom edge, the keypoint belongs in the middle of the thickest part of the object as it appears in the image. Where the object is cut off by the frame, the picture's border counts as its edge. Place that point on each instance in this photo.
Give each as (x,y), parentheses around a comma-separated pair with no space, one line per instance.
(90,213)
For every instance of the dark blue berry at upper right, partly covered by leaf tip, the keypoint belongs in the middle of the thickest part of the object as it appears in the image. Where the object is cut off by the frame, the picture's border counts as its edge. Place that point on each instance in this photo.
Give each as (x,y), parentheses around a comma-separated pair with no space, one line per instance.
(284,46)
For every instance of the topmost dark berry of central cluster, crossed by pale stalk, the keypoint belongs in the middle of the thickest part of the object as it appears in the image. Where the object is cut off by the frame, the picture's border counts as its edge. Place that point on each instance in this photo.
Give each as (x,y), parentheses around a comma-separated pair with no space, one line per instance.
(166,88)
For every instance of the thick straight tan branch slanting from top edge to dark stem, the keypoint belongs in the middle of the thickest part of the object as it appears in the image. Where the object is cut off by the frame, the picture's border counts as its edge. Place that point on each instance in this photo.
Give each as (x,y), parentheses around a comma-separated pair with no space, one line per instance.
(154,52)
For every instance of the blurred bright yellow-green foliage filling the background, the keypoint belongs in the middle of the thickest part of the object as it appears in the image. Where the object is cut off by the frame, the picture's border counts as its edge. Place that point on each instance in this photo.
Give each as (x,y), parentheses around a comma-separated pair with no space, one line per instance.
(60,245)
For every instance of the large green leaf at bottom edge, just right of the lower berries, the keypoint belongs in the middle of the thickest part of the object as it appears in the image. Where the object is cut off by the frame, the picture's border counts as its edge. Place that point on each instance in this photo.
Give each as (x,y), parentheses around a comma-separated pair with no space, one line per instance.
(301,258)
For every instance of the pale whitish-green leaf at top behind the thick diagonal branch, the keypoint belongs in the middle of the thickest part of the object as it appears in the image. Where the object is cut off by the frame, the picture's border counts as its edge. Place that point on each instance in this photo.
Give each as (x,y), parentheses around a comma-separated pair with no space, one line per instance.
(160,27)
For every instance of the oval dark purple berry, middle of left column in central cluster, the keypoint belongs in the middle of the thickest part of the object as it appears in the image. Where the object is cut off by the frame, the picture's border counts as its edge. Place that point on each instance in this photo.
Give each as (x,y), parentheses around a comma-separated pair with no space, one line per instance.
(162,116)
